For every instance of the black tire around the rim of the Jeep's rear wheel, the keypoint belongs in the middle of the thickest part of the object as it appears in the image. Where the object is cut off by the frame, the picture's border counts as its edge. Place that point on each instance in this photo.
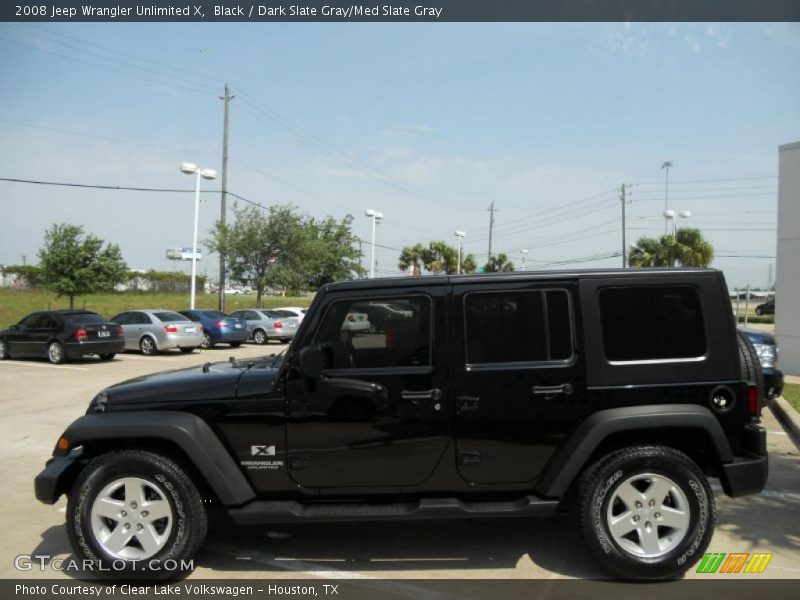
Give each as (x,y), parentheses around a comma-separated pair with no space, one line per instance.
(673,564)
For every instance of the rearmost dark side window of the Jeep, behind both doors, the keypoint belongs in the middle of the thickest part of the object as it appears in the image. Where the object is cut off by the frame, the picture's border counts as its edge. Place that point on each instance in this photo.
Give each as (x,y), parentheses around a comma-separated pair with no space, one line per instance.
(652,323)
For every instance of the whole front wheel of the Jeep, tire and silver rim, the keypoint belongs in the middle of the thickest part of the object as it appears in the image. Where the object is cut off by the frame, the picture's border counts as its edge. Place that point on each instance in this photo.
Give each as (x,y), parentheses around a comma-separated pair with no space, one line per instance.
(137,514)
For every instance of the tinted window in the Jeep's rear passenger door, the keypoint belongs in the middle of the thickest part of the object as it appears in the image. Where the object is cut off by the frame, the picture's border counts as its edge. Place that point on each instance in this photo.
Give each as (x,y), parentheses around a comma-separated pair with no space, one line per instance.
(518,327)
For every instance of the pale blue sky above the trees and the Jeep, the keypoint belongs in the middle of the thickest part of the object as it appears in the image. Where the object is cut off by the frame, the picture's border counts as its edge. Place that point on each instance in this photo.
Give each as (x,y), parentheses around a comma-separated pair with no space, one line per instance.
(428,123)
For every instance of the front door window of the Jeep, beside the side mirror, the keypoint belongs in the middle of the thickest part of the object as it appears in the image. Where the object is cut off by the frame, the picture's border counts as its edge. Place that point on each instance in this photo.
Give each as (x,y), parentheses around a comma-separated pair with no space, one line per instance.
(376,340)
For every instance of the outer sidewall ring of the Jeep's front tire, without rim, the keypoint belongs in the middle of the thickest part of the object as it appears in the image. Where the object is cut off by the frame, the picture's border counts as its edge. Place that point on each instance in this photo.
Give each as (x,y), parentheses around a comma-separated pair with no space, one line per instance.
(85,492)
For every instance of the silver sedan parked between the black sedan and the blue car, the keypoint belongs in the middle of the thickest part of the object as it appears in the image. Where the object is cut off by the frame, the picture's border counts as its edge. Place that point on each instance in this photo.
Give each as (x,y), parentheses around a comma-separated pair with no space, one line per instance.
(152,331)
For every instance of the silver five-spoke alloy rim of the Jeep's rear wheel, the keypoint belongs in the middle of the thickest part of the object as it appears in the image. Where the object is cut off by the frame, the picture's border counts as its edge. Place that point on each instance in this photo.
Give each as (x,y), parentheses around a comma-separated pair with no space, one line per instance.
(648,515)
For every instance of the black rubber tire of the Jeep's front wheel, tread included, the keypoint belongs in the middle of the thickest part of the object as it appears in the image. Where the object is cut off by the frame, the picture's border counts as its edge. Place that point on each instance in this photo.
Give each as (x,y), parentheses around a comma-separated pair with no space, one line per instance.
(188,521)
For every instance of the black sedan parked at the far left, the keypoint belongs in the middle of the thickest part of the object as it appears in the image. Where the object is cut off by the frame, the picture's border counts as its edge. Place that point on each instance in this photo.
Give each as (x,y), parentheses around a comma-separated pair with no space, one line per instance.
(61,334)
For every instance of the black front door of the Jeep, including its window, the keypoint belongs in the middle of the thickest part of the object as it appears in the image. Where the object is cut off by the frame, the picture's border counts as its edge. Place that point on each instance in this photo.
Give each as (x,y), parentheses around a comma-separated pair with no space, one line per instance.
(376,417)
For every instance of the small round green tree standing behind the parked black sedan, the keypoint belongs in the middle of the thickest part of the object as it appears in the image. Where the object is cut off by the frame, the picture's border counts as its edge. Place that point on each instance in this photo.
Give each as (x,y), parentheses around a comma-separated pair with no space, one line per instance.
(74,264)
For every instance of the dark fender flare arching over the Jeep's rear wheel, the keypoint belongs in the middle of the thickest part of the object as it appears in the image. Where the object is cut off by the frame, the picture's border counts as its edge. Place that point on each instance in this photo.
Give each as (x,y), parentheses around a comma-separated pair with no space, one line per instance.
(574,454)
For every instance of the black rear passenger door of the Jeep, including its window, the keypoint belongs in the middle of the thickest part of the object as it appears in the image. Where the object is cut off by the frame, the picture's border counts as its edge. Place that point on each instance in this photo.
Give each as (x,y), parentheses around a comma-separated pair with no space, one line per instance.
(519,387)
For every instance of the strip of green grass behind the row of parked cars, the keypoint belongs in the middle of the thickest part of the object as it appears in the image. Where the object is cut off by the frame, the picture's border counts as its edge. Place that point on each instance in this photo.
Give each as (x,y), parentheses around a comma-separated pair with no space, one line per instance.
(15,304)
